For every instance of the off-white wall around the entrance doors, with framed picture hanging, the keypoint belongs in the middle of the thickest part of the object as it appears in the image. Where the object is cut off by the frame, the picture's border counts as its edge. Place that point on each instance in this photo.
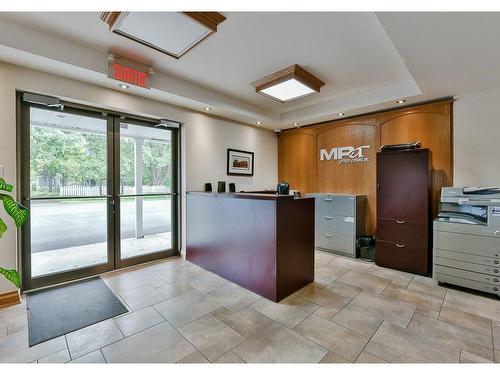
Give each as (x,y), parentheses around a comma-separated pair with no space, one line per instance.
(204,138)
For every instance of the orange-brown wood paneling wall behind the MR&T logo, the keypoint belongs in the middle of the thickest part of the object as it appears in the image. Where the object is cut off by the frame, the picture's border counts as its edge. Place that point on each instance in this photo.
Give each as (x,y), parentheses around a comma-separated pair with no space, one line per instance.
(299,156)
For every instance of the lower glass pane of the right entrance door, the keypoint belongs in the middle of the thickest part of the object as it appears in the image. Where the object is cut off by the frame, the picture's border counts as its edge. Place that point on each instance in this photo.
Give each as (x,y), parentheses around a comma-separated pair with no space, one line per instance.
(145,225)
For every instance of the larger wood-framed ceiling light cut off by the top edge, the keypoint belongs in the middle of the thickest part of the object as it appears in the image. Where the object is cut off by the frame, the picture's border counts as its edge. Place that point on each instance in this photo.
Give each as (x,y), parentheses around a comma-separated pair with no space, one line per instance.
(173,33)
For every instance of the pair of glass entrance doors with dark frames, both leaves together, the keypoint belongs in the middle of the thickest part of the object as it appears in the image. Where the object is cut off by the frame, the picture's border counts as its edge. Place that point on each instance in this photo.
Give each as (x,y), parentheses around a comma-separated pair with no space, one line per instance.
(101,190)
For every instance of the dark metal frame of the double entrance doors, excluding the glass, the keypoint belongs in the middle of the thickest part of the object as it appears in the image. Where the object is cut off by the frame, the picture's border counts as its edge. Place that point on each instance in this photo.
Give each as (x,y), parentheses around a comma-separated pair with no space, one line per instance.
(114,262)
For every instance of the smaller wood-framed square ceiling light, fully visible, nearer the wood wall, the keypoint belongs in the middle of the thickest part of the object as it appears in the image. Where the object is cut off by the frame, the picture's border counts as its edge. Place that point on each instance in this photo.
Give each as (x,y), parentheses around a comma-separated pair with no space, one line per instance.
(288,84)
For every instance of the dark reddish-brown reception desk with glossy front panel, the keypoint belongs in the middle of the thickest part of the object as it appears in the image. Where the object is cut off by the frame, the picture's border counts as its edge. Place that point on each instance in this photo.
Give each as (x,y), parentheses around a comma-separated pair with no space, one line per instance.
(263,242)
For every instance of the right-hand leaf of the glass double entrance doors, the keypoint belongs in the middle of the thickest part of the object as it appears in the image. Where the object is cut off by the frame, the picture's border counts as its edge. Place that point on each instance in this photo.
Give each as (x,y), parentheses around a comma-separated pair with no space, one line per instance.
(146,191)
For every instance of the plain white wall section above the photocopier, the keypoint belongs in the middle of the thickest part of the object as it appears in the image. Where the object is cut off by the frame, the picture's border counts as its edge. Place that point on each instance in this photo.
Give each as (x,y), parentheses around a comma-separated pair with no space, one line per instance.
(476,124)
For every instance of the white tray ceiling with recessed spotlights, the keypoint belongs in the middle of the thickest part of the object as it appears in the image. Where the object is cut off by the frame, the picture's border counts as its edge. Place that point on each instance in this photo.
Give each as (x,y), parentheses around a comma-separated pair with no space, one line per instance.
(367,60)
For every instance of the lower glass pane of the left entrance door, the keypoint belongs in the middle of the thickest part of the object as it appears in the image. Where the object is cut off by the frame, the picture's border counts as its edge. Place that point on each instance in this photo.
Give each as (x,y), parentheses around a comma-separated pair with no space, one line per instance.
(67,234)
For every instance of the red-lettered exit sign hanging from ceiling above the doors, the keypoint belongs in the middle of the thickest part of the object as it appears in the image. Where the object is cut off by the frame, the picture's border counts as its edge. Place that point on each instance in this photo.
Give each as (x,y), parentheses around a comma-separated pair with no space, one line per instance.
(129,72)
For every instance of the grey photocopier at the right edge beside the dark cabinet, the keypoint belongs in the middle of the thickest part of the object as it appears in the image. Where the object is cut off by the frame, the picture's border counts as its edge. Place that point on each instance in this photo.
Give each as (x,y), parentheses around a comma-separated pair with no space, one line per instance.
(467,238)
